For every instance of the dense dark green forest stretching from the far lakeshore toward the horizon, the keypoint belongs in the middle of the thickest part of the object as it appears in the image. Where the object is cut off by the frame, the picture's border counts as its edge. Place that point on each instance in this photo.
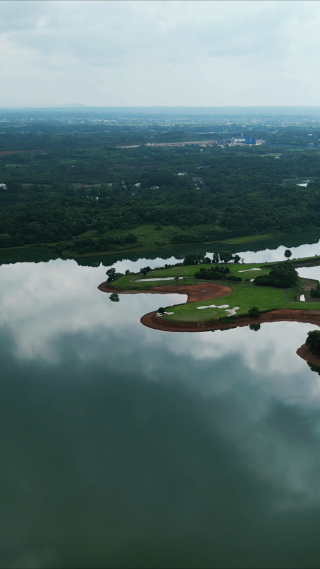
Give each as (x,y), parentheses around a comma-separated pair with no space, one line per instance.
(73,187)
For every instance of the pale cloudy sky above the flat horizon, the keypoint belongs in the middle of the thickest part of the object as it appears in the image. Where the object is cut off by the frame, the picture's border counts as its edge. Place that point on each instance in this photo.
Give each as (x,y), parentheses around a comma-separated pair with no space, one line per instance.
(185,53)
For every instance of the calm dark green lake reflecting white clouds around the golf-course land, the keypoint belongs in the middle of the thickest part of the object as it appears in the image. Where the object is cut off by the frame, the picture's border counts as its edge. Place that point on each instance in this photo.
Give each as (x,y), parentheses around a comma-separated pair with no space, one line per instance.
(129,447)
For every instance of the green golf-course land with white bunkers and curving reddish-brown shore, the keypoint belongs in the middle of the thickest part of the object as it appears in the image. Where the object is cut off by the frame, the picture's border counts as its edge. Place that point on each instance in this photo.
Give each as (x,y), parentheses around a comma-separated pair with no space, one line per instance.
(223,292)
